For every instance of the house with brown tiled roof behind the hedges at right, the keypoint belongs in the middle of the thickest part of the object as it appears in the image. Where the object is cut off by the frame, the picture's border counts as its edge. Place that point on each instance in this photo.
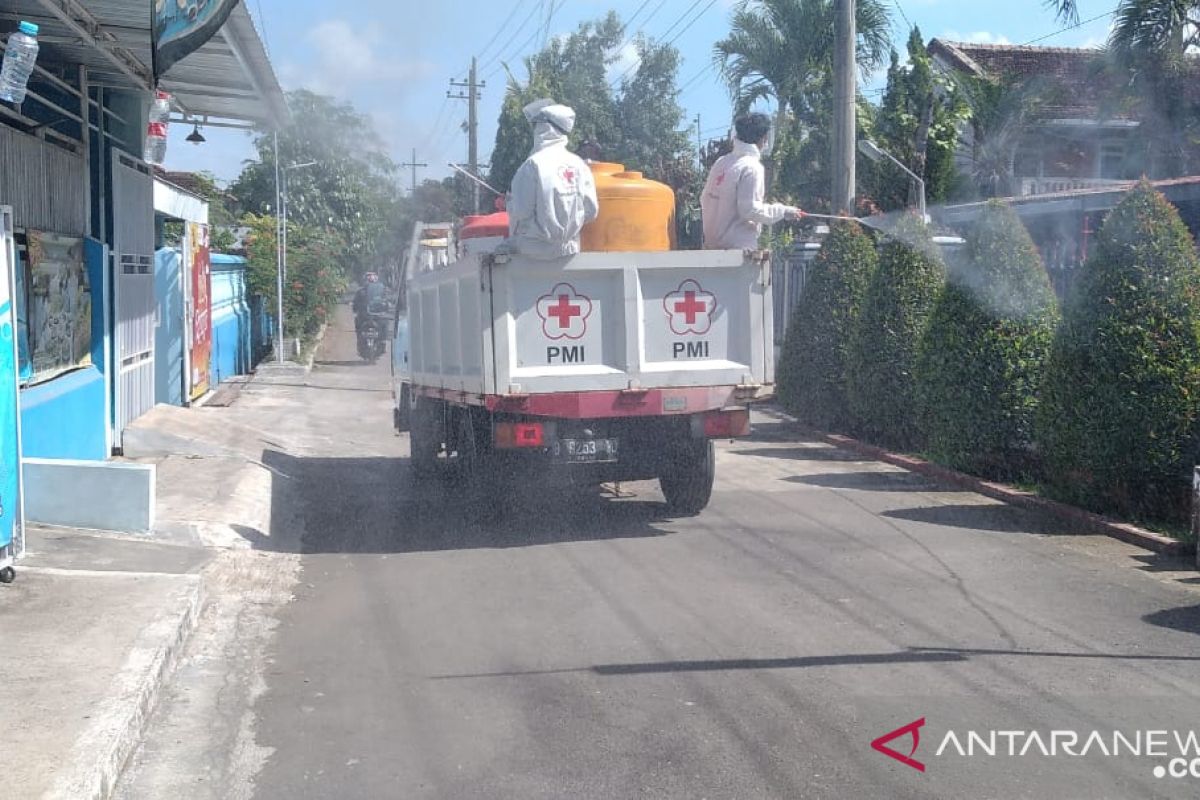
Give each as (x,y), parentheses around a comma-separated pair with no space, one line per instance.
(1076,137)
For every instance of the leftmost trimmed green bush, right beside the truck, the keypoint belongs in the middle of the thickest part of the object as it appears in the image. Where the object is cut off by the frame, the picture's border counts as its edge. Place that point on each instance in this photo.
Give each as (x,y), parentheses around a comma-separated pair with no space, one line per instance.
(813,370)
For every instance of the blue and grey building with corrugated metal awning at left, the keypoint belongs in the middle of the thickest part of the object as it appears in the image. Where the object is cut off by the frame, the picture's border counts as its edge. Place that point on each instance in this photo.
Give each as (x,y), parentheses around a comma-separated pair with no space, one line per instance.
(80,242)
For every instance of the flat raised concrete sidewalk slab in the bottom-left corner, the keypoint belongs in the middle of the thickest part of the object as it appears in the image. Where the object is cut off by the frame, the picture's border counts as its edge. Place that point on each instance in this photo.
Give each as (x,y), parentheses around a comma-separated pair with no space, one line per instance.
(91,629)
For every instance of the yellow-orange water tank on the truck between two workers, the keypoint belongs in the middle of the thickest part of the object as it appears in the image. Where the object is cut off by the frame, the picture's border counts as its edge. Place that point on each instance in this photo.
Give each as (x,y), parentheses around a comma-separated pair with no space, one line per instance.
(635,214)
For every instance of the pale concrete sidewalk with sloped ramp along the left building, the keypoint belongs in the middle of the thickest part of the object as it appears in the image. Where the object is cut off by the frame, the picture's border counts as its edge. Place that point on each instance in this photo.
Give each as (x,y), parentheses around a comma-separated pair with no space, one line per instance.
(97,623)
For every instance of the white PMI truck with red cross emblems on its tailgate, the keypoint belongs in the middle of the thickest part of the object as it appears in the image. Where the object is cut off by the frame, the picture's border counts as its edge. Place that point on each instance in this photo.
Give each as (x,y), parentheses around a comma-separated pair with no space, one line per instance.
(603,368)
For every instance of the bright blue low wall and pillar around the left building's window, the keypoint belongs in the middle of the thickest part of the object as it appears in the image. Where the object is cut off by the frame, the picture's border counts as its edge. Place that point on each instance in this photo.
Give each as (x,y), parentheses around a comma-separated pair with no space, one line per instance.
(67,418)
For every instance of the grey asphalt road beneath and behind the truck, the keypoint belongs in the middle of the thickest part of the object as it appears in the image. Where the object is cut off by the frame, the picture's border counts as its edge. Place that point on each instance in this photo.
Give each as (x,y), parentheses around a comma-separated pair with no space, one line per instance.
(592,647)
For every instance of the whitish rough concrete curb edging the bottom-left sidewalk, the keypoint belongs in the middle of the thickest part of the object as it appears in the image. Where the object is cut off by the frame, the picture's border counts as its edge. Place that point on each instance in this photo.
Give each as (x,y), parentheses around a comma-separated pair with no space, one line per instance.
(106,748)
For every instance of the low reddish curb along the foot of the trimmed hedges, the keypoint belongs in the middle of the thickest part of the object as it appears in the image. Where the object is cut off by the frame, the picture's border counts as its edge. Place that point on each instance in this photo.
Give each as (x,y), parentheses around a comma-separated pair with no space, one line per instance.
(1085,521)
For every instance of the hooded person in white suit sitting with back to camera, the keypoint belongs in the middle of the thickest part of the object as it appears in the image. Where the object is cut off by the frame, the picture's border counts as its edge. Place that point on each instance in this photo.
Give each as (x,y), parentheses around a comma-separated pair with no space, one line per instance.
(554,194)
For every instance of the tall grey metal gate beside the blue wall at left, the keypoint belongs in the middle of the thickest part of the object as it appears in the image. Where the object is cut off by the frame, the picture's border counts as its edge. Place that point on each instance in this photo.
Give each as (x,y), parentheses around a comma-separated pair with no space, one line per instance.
(134,288)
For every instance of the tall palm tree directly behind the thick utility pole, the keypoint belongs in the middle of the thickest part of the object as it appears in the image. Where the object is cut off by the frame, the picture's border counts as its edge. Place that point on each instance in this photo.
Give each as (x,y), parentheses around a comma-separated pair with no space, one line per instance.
(783,51)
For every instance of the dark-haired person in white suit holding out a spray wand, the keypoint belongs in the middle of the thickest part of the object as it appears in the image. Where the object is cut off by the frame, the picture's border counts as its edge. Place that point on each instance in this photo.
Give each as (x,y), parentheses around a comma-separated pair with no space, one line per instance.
(733,204)
